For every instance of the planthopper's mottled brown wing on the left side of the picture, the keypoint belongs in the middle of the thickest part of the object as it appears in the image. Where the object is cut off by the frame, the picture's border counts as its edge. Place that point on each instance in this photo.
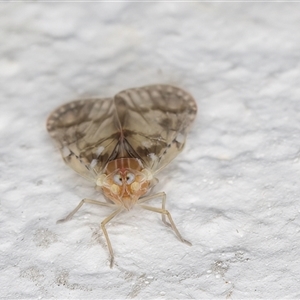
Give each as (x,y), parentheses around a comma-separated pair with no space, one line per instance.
(86,133)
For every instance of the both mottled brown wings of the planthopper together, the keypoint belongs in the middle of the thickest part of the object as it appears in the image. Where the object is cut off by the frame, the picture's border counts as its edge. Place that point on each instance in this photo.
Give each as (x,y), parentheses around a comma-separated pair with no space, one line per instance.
(149,123)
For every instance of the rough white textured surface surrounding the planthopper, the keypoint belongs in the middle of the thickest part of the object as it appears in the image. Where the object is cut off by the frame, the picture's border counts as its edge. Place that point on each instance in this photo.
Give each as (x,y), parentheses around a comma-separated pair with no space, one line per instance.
(233,192)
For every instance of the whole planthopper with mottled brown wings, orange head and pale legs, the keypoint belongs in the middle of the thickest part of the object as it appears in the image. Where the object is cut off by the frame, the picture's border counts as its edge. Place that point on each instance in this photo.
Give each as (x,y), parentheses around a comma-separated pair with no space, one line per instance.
(122,143)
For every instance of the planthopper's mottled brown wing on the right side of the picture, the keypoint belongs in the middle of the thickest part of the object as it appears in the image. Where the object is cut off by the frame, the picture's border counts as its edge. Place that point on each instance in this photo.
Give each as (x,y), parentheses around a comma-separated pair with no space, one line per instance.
(155,121)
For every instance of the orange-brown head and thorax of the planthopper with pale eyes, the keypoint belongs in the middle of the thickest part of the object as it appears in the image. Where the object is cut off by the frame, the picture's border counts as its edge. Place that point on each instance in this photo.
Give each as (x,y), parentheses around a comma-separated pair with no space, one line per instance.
(124,181)
